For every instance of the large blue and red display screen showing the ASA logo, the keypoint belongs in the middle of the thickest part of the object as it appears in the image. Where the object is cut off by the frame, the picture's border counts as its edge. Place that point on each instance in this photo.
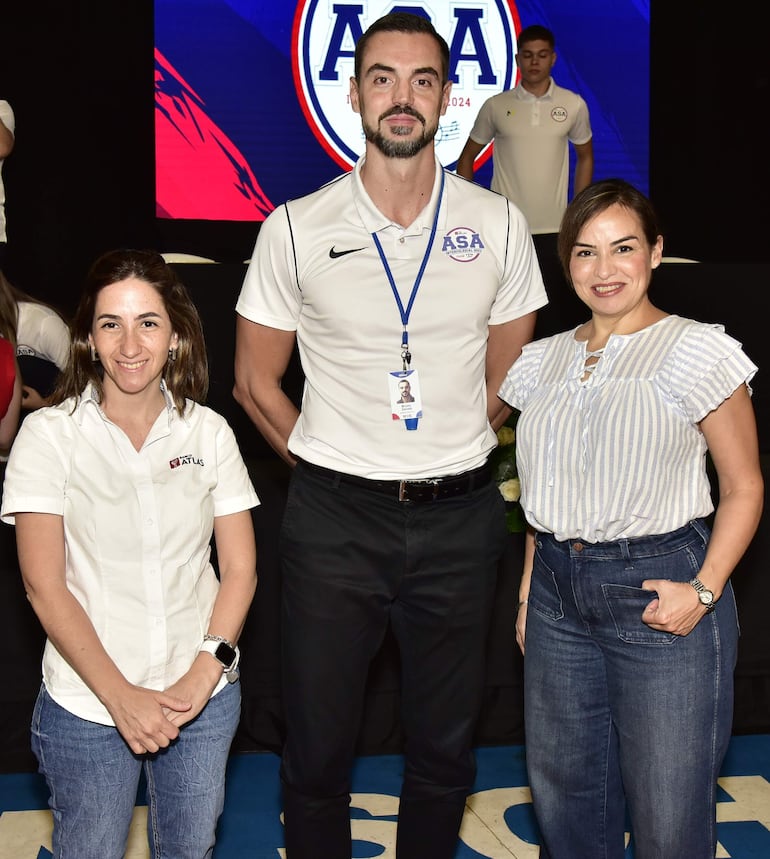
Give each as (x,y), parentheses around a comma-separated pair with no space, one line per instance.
(252,96)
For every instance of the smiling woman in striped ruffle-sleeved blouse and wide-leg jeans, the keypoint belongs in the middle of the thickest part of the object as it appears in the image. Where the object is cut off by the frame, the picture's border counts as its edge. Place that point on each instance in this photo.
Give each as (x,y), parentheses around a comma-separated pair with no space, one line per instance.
(626,607)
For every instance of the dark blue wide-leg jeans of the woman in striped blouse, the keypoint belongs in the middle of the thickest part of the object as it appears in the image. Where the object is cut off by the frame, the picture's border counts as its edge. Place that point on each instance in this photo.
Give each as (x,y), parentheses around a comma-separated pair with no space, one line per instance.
(620,717)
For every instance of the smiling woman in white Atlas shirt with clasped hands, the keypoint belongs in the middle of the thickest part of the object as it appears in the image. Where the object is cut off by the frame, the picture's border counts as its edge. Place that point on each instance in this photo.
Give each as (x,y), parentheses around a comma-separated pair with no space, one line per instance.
(115,491)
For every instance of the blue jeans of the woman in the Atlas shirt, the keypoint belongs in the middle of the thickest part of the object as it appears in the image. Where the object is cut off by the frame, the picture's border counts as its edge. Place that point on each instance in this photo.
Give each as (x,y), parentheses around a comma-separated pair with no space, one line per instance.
(93,777)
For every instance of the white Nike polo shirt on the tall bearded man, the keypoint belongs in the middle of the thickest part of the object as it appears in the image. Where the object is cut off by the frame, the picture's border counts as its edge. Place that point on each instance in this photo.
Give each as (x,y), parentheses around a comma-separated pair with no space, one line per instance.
(316,270)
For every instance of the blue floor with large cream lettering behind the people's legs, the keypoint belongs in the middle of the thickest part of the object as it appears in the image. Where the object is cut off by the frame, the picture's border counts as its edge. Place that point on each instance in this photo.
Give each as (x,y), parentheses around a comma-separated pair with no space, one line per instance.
(251,828)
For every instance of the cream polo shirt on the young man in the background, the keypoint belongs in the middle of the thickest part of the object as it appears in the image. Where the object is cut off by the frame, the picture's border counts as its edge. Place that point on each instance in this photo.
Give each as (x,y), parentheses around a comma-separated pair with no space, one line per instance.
(531,152)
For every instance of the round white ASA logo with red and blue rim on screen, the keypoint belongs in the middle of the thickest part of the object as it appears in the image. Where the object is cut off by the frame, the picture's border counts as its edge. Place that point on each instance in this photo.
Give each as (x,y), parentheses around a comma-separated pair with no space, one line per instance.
(482,48)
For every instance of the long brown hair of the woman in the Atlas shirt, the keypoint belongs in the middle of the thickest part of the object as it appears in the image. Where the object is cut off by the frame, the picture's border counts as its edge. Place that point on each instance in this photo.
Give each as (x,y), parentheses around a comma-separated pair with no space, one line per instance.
(187,377)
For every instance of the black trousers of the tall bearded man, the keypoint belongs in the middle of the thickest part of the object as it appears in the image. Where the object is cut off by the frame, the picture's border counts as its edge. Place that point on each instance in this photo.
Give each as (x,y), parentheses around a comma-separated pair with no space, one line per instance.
(353,561)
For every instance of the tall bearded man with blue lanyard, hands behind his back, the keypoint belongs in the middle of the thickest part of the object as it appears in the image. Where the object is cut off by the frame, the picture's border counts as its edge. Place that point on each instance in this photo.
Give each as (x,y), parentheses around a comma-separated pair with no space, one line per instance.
(398,269)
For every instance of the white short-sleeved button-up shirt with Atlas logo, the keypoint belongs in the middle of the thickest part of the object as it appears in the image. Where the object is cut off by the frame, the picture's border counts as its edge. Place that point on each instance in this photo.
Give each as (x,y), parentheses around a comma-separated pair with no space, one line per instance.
(137,528)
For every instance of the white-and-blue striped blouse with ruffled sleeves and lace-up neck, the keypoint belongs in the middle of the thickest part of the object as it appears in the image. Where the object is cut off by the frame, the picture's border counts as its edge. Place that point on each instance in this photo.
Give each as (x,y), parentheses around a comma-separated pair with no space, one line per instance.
(619,453)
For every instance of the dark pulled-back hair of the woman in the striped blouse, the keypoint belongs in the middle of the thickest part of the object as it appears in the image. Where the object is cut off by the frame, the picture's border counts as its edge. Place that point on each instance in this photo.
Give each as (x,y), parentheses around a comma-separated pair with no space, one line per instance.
(595,199)
